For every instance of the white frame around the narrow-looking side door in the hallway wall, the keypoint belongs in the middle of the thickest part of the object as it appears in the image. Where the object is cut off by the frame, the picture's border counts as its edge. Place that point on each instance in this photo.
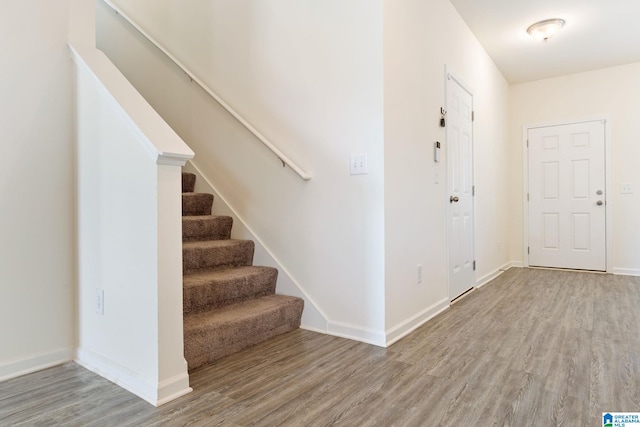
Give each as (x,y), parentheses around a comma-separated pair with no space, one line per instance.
(450,75)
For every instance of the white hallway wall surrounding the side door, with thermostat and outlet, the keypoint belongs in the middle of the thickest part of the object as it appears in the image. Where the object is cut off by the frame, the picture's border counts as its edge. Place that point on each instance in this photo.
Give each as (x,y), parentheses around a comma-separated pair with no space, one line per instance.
(420,38)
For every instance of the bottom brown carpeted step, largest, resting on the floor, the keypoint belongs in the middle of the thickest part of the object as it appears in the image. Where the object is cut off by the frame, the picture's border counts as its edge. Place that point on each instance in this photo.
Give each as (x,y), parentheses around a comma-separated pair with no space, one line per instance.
(213,334)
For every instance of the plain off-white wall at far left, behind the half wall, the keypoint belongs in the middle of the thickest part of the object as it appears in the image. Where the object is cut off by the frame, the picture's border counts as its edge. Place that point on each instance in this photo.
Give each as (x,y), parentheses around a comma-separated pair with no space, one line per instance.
(36,187)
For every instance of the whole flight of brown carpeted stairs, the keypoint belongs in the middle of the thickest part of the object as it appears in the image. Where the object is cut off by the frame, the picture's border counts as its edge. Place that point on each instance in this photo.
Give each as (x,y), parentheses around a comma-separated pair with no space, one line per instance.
(229,304)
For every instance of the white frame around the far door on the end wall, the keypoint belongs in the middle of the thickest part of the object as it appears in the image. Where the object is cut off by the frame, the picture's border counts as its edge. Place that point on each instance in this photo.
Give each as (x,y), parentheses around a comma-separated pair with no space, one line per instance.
(609,194)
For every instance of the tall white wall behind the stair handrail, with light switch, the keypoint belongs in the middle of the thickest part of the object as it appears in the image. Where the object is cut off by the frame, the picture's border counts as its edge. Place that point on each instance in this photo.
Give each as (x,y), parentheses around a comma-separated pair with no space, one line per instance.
(308,75)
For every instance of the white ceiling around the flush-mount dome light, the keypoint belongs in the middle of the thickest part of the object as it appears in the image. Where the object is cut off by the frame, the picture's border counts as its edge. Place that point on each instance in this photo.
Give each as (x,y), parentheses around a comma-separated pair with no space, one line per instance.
(597,34)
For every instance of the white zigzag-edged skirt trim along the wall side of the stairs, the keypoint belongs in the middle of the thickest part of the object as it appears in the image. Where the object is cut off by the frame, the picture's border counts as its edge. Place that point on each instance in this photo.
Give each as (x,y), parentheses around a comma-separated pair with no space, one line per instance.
(313,318)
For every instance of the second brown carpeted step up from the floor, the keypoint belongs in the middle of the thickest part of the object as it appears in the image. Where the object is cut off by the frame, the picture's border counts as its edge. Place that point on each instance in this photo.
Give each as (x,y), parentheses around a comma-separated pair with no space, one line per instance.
(214,289)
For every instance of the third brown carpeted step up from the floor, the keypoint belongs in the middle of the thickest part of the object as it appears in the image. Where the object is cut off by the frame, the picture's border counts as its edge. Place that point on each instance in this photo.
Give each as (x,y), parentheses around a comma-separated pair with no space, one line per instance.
(216,254)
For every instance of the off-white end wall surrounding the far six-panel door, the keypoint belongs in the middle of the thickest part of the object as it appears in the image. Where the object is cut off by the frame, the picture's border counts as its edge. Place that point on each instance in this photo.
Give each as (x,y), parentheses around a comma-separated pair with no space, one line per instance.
(612,92)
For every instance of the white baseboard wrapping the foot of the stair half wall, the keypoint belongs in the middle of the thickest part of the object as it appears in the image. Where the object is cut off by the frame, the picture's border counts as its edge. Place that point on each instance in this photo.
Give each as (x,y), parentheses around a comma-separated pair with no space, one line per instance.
(156,393)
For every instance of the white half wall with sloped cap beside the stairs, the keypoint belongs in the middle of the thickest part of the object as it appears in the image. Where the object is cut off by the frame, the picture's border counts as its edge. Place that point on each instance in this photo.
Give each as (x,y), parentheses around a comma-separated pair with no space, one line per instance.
(129,235)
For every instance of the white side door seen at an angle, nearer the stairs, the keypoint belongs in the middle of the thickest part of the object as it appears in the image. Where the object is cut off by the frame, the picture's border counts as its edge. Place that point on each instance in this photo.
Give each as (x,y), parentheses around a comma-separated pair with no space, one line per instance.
(459,127)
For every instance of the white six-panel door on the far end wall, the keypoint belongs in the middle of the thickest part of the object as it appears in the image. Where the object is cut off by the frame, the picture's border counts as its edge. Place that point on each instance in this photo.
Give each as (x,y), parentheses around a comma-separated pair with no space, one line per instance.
(567,215)
